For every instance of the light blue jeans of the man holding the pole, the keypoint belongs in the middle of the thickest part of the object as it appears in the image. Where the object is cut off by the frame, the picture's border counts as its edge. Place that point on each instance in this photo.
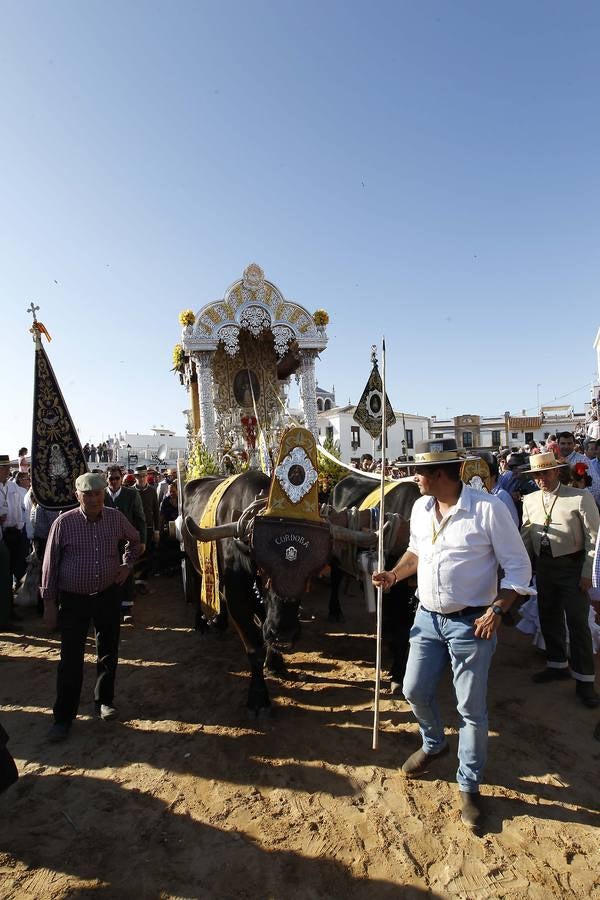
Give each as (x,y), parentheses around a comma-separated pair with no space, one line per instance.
(435,639)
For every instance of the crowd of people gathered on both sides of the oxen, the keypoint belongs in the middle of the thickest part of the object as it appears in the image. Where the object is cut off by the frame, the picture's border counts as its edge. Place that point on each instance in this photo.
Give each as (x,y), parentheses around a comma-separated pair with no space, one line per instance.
(474,554)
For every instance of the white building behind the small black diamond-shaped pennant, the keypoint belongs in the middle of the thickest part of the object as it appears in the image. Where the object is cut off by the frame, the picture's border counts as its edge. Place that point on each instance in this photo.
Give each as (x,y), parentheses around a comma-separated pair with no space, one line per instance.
(337,424)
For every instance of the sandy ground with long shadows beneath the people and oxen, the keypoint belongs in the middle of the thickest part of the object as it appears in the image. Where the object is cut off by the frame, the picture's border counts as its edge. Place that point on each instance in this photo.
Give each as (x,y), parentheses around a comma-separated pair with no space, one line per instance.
(186,796)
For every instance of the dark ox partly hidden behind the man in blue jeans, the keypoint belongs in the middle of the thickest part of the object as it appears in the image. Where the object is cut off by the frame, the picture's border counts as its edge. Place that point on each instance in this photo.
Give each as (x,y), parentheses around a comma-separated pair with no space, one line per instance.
(398,603)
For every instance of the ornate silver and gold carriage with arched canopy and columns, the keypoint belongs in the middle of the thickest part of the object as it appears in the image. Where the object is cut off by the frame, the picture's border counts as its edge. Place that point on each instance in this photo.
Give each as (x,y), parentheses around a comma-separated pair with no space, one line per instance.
(239,354)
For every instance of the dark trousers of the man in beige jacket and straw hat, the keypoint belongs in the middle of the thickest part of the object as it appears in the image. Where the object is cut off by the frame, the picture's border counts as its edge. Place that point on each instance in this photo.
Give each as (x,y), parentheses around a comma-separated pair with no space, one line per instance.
(559,595)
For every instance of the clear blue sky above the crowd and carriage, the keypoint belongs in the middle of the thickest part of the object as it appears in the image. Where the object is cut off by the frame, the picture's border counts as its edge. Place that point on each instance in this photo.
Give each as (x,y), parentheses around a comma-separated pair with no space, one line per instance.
(427,171)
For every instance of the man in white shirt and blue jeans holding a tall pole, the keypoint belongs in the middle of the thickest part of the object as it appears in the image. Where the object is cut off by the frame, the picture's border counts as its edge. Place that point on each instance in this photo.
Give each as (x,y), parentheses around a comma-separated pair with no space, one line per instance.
(458,538)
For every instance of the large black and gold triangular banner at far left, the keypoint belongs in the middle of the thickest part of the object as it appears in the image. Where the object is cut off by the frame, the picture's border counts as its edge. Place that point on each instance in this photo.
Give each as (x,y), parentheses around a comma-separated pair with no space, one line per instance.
(56,455)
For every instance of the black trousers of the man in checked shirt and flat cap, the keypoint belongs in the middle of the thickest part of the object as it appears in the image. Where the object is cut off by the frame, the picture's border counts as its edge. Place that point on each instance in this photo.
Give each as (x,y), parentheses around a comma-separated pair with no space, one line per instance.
(76,613)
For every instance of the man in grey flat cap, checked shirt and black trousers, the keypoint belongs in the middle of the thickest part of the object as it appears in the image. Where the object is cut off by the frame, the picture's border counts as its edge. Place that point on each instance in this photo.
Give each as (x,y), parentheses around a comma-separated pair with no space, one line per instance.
(81,571)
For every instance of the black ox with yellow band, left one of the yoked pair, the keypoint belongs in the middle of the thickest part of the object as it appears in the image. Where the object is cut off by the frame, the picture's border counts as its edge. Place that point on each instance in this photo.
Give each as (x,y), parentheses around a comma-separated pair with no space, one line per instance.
(238,575)
